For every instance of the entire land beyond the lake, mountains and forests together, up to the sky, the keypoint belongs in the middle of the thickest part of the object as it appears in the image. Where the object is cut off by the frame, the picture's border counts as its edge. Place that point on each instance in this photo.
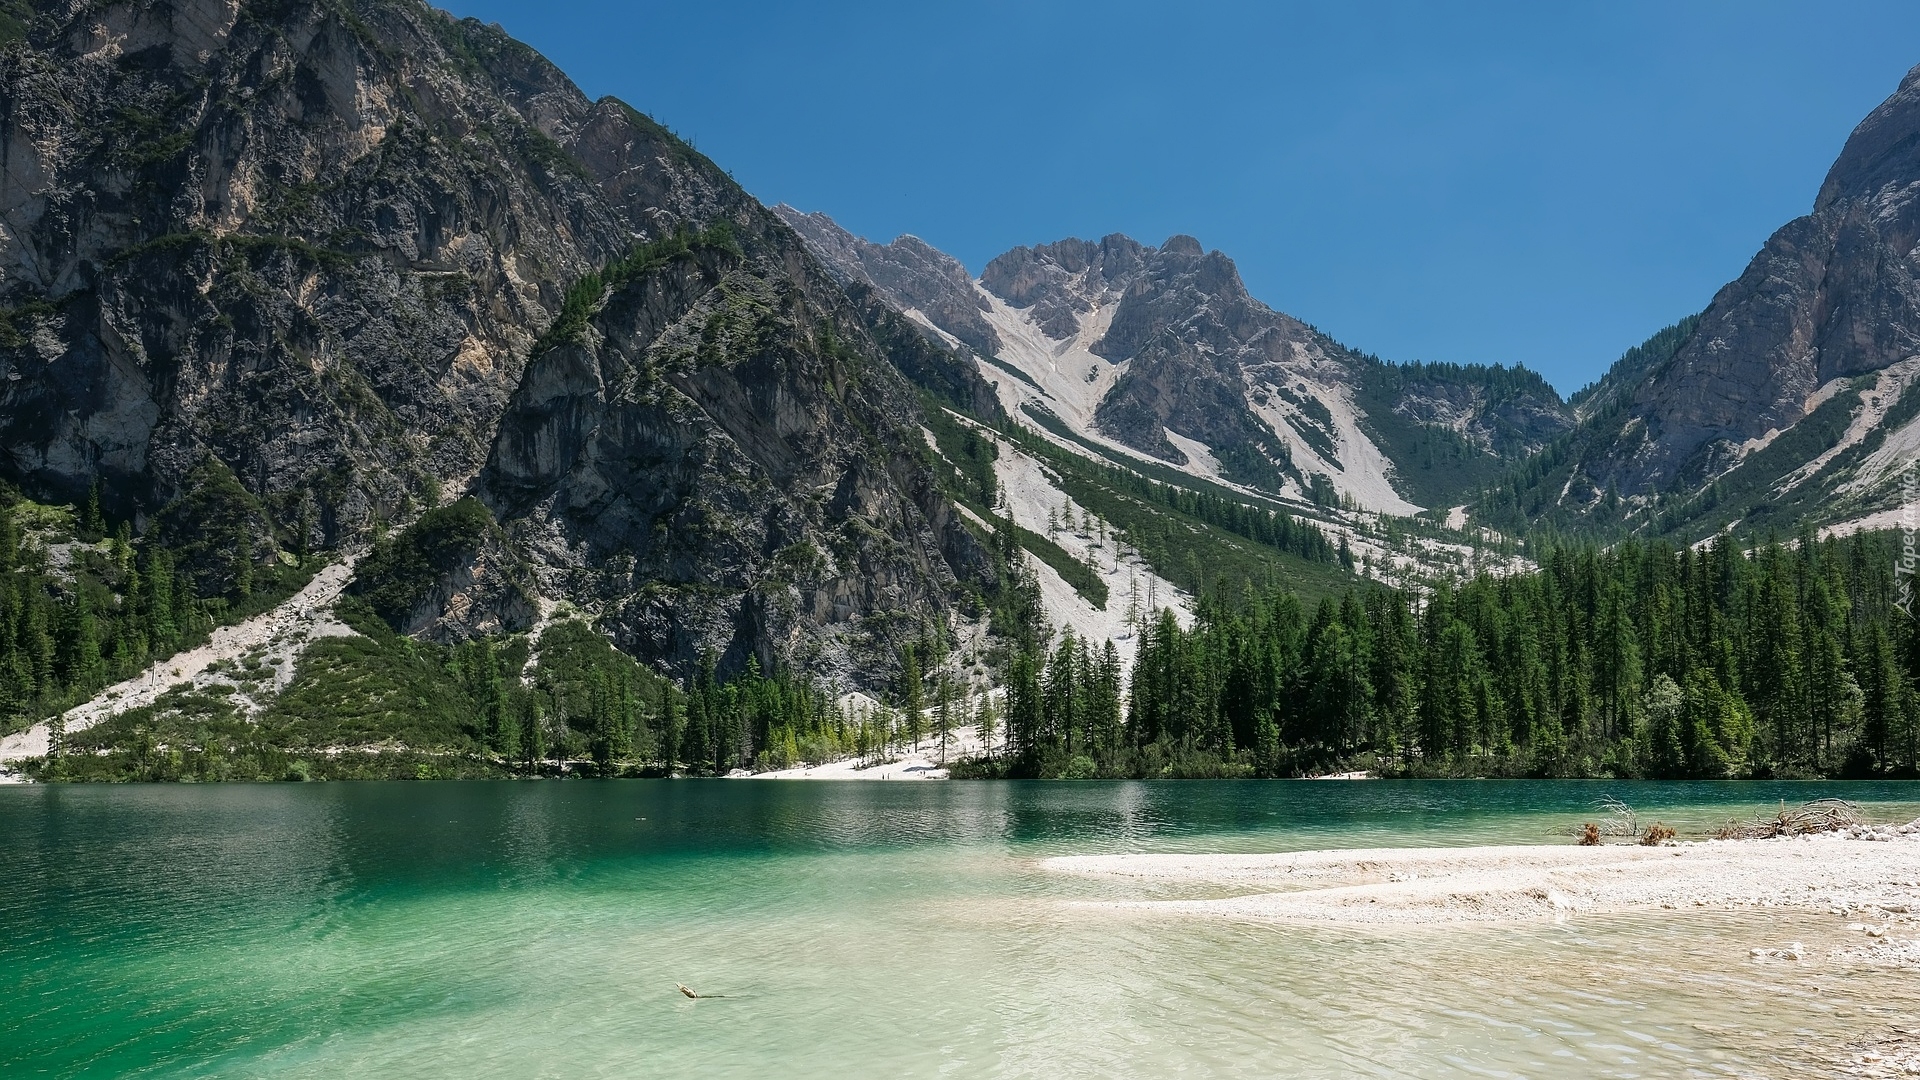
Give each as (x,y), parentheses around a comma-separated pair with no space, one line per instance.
(636,474)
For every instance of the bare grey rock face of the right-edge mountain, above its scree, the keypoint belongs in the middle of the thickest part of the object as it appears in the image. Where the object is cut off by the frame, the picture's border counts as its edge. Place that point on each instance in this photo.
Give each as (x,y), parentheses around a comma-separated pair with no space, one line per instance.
(1829,297)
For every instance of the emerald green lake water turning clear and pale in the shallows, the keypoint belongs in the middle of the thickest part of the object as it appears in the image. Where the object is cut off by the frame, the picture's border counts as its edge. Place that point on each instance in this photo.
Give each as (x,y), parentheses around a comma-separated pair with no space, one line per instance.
(853,931)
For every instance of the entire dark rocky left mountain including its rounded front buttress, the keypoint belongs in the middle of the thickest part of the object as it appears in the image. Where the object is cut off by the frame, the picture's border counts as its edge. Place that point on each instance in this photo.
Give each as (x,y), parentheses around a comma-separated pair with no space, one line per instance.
(329,249)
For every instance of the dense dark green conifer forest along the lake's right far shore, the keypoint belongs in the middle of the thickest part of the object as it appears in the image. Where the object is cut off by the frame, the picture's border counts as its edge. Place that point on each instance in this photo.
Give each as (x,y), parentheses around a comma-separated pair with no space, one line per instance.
(1643,660)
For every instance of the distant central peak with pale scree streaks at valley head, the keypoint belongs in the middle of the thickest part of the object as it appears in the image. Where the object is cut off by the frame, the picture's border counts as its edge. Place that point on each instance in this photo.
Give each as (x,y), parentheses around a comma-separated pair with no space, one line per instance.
(1163,353)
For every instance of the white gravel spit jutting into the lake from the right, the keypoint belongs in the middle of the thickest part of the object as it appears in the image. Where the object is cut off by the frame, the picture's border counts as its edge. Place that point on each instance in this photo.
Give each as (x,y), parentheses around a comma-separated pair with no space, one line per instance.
(1875,879)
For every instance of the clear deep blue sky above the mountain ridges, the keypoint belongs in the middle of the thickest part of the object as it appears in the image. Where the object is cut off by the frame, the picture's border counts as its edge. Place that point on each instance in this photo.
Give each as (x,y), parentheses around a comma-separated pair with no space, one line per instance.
(1516,184)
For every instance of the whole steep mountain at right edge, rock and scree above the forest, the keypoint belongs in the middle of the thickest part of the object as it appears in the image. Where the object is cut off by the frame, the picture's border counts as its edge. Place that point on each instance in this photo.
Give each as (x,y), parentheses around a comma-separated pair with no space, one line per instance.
(1794,395)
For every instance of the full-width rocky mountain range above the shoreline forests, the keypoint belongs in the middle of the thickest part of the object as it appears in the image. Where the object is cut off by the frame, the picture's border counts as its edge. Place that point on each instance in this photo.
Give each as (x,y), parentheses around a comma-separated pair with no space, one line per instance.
(281,278)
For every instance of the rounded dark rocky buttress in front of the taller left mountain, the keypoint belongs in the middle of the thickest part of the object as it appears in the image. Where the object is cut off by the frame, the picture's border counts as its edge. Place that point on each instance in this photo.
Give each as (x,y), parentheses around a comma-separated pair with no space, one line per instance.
(725,460)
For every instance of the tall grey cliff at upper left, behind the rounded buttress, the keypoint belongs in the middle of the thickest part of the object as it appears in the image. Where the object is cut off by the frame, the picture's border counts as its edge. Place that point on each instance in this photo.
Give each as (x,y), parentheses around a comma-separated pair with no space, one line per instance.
(312,241)
